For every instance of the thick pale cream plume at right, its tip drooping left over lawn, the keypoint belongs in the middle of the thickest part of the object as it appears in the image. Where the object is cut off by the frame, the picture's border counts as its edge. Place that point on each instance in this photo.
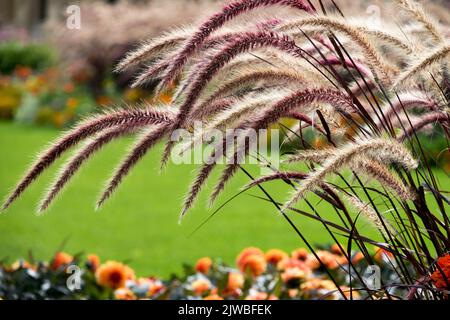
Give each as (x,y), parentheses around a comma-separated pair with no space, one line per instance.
(382,150)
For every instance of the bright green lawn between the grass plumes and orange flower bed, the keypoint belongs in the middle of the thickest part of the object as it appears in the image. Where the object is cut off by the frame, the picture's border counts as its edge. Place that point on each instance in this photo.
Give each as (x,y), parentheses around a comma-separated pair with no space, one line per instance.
(139,224)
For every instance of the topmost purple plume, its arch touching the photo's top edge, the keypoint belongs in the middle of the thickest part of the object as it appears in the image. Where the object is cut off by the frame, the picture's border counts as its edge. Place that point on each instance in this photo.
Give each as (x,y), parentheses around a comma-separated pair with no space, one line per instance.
(228,13)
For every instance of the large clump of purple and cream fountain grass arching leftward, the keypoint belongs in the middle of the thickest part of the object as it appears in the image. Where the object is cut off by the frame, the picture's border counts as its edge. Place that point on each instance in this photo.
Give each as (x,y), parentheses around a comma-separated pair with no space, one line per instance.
(365,91)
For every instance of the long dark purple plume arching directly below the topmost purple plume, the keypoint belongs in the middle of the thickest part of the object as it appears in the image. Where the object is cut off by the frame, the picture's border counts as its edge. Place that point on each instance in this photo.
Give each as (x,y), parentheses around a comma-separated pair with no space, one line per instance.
(245,42)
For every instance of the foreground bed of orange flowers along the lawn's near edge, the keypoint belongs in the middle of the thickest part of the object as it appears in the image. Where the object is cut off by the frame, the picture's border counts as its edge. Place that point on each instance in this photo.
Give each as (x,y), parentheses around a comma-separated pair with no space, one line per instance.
(257,275)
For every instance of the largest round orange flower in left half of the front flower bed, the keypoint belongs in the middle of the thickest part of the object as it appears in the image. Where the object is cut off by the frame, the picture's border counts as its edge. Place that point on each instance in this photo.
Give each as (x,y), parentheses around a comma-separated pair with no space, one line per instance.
(114,274)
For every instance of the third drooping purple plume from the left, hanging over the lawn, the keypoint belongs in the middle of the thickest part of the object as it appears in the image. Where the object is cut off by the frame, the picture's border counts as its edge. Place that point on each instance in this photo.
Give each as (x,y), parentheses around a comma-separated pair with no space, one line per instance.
(149,139)
